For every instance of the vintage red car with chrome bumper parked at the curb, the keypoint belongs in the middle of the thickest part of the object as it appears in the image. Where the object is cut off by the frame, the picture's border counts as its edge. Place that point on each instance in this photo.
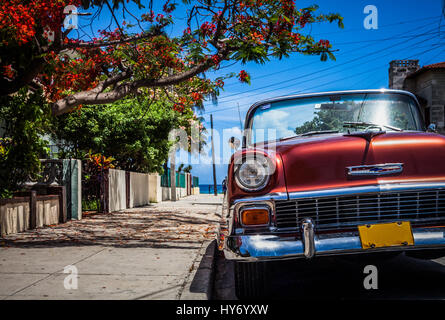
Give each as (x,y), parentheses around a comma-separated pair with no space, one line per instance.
(335,173)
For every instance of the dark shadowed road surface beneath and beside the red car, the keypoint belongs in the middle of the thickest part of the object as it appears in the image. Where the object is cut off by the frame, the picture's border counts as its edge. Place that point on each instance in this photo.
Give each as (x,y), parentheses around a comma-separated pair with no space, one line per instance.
(399,278)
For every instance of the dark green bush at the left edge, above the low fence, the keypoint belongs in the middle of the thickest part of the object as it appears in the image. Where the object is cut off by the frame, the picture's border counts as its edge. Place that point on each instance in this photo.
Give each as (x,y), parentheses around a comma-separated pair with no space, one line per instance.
(24,119)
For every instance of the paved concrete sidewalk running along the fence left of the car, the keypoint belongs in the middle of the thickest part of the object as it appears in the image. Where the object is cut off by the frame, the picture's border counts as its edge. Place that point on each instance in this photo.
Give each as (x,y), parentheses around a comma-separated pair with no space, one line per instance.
(151,252)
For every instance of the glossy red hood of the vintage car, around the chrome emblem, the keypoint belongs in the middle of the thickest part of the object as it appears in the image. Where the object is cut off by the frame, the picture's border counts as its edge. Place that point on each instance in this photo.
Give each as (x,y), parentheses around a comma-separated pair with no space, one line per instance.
(320,162)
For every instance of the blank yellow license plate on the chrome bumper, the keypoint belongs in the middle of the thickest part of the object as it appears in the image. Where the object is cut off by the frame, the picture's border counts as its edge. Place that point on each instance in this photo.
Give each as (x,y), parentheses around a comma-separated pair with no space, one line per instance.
(386,235)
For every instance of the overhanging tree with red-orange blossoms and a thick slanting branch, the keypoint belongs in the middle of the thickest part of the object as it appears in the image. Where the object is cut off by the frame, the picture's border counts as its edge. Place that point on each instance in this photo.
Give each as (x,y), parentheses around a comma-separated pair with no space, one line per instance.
(138,55)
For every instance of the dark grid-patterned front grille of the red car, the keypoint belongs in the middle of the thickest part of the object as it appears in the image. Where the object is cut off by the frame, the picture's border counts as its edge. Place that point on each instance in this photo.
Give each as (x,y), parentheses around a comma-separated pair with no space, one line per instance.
(420,207)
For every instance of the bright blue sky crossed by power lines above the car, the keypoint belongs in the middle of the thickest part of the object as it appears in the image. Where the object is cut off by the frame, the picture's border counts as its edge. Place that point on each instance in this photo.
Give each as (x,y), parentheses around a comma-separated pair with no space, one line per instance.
(408,29)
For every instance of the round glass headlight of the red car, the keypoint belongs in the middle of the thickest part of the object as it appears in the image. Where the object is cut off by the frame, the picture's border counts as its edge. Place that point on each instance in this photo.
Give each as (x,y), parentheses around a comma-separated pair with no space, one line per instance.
(253,174)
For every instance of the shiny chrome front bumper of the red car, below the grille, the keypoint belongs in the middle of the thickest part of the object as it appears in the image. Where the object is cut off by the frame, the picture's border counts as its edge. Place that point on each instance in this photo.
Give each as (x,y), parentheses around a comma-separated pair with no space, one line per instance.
(273,247)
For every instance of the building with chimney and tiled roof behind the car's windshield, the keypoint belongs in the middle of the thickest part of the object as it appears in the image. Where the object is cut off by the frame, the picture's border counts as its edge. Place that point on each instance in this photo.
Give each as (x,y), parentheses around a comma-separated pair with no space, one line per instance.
(427,83)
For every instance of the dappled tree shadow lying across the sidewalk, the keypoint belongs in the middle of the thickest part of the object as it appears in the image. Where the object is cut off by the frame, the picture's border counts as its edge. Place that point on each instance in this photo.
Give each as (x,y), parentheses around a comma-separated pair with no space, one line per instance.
(153,229)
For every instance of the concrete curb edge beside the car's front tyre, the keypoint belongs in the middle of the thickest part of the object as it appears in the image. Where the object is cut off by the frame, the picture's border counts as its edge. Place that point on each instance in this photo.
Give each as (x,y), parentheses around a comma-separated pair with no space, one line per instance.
(199,283)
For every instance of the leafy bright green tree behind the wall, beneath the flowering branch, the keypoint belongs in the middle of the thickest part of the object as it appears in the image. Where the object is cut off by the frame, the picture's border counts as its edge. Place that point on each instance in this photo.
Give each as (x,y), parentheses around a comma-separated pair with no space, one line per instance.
(134,132)
